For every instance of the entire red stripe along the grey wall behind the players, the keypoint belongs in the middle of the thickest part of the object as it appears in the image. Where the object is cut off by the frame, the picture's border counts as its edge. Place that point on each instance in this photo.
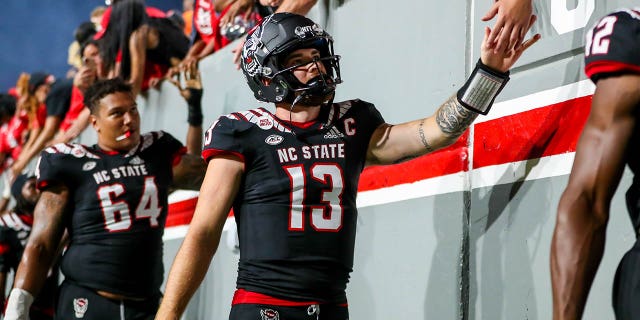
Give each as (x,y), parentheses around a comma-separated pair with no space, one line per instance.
(537,133)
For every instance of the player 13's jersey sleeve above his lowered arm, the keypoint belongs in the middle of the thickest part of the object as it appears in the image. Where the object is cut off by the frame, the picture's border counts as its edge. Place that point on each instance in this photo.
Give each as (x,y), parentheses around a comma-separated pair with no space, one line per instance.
(224,137)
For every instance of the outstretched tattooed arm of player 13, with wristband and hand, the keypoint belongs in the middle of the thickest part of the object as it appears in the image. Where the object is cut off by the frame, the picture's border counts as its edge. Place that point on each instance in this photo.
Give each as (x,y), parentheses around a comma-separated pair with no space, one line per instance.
(393,143)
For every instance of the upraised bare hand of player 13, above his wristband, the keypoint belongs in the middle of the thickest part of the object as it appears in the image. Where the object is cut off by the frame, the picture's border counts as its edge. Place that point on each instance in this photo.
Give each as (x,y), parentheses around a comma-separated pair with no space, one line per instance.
(503,60)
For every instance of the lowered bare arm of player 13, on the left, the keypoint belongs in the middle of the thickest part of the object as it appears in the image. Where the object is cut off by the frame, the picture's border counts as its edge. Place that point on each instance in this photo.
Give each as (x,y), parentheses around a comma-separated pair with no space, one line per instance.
(190,265)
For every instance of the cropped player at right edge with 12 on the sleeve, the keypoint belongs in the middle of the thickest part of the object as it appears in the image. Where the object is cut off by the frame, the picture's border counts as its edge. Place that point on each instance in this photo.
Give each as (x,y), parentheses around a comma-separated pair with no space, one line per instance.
(608,142)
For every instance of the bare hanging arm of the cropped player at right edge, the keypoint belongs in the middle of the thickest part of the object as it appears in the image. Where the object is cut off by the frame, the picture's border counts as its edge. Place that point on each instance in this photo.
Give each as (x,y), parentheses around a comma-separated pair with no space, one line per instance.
(583,211)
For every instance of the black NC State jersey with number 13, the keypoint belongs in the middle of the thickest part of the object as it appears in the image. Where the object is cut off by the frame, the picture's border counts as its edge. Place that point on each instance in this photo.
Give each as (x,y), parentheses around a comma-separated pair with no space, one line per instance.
(296,208)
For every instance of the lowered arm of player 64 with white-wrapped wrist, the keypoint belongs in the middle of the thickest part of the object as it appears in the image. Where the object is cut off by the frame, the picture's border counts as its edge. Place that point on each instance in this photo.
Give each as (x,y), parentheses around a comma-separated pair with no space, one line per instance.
(40,251)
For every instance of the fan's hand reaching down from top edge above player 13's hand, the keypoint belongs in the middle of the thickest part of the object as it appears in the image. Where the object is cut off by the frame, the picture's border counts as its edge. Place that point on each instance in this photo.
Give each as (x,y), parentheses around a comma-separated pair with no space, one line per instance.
(512,23)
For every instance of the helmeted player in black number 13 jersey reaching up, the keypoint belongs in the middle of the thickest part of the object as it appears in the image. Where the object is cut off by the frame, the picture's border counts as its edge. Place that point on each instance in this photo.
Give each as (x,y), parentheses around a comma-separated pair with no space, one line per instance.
(292,176)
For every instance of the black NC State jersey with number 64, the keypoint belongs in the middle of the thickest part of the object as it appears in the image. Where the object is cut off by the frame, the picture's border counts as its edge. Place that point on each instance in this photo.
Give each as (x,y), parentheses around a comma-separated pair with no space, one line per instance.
(118,209)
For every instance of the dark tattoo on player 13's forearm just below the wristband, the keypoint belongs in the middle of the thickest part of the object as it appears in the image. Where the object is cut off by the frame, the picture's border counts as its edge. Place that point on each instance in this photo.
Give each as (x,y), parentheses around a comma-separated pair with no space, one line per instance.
(452,118)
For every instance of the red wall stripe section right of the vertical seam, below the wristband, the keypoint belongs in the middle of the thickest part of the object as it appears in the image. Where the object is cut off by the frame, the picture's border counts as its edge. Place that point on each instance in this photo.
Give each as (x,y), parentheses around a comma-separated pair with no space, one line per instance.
(533,134)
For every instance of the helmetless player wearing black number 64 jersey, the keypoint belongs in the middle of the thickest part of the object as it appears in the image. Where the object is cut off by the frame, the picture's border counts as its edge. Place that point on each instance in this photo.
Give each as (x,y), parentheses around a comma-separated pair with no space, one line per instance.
(112,199)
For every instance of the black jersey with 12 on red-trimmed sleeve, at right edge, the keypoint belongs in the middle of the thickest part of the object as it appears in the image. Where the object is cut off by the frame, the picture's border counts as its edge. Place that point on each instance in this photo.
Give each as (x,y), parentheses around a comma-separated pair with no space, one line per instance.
(612,48)
